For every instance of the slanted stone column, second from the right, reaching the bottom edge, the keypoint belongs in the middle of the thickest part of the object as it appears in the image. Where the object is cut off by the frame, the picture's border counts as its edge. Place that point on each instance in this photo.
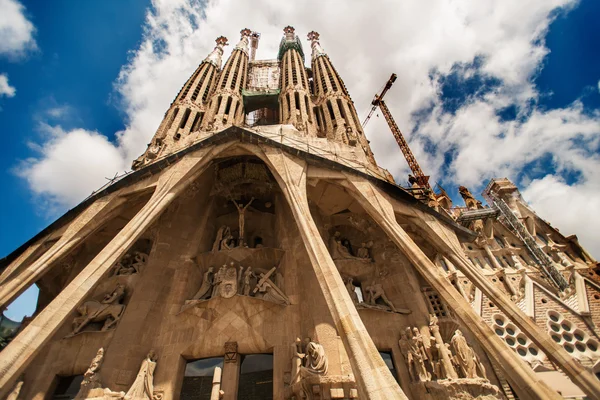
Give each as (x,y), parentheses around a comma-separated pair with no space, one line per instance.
(381,210)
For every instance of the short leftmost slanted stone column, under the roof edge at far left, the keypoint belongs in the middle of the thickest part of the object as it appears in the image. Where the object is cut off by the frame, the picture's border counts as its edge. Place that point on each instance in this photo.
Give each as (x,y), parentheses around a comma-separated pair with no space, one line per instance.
(83,225)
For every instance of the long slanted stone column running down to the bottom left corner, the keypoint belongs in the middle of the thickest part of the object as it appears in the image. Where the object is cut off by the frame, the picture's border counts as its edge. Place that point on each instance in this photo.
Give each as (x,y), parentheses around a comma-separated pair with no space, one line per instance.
(23,349)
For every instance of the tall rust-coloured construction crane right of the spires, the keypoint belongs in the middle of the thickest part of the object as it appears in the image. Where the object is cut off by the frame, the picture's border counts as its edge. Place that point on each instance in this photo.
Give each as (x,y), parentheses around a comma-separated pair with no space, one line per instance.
(418,176)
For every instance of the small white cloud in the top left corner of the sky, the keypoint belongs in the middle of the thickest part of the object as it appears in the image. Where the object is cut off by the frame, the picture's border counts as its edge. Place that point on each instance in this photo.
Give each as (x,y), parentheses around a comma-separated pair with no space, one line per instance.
(16,31)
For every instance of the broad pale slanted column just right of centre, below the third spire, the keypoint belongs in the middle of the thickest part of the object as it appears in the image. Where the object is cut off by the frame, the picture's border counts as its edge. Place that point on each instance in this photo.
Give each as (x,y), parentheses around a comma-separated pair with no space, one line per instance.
(373,378)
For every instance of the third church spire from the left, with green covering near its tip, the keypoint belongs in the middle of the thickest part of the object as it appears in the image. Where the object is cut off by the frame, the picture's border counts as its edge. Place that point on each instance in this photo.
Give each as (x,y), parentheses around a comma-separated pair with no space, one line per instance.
(295,107)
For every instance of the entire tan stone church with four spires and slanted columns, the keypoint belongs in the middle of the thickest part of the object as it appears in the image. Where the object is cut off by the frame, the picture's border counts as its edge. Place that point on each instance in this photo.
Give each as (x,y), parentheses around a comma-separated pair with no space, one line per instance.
(257,251)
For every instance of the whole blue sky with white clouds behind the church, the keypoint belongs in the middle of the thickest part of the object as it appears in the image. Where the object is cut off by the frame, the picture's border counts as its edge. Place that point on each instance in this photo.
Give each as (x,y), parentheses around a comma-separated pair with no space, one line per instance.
(500,89)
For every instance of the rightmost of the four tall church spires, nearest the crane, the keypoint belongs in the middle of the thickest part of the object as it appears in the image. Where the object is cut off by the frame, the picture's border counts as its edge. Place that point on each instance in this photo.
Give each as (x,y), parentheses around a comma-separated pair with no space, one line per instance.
(336,115)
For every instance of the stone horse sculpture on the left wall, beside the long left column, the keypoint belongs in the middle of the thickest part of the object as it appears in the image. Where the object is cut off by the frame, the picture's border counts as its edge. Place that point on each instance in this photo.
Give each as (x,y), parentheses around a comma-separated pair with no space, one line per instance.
(109,311)
